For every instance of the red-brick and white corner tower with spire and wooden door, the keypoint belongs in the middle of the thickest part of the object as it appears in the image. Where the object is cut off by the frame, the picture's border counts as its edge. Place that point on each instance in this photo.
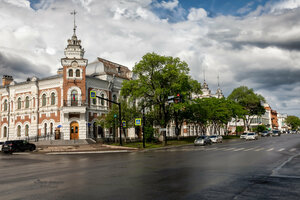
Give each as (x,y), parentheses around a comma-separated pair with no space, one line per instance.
(74,88)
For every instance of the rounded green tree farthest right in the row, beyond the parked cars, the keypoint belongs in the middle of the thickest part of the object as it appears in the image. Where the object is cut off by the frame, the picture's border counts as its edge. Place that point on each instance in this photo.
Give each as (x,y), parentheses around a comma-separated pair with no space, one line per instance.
(250,101)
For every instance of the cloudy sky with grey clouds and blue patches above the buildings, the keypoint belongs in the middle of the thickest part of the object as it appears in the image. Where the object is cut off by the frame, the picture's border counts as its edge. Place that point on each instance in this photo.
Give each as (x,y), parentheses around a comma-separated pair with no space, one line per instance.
(251,42)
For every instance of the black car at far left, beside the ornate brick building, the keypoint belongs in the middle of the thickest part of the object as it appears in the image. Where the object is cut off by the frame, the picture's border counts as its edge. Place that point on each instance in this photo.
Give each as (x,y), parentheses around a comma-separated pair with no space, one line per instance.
(17,145)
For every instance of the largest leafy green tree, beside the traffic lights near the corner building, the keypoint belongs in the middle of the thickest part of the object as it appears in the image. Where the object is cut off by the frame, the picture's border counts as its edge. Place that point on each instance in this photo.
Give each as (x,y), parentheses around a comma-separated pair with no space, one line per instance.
(157,78)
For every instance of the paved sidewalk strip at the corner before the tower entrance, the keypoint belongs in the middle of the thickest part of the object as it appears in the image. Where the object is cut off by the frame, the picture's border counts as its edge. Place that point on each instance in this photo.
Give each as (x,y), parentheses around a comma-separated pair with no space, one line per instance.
(83,148)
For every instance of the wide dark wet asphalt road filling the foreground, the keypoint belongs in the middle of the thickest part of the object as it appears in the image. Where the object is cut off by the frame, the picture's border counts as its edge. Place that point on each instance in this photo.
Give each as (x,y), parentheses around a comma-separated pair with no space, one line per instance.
(268,168)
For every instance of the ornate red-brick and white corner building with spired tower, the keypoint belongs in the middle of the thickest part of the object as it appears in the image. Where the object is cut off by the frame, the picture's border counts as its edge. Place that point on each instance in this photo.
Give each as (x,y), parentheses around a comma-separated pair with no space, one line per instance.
(59,106)
